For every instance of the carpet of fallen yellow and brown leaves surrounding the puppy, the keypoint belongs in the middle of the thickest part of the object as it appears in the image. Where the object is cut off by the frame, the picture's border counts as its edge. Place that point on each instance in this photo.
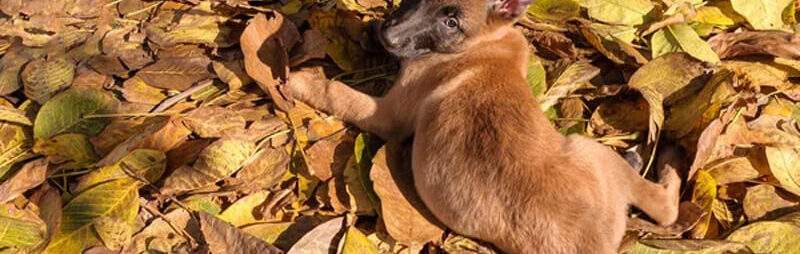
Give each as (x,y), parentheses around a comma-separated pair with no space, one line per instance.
(131,126)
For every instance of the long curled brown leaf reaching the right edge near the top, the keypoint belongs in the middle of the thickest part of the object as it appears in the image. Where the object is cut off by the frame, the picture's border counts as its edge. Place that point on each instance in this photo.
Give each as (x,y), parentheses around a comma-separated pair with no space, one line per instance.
(775,43)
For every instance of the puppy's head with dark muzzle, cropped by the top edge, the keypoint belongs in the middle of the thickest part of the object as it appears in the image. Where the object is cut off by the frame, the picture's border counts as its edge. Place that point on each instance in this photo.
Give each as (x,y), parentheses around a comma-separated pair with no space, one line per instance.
(445,26)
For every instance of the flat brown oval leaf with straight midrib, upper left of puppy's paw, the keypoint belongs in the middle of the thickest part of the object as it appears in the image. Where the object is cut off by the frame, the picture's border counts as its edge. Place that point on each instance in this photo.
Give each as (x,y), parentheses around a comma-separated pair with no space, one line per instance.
(176,73)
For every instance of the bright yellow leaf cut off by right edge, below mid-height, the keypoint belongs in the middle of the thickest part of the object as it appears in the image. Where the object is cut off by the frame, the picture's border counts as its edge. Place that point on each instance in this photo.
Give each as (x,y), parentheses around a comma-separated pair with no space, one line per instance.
(785,166)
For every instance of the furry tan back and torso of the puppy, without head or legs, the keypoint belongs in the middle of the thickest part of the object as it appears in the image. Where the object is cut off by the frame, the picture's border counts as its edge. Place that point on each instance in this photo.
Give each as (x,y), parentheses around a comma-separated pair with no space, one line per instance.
(490,162)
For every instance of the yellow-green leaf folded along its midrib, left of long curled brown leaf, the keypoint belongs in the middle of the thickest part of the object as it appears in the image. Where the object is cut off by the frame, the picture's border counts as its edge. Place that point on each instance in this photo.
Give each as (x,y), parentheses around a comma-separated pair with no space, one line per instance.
(682,38)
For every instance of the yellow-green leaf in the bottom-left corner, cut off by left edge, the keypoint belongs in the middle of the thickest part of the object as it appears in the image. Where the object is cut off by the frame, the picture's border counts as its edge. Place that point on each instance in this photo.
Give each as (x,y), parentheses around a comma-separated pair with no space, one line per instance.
(20,228)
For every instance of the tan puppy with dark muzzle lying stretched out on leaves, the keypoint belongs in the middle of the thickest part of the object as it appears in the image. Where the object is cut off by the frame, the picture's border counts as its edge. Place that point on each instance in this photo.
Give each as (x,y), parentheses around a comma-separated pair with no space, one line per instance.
(486,161)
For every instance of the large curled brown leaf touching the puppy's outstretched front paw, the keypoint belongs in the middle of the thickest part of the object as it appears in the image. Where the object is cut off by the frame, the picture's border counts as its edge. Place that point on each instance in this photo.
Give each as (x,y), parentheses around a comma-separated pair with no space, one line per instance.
(264,43)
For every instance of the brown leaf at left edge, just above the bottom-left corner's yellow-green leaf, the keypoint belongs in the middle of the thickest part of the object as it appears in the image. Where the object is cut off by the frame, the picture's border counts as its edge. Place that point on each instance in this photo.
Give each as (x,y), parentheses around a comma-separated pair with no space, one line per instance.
(30,175)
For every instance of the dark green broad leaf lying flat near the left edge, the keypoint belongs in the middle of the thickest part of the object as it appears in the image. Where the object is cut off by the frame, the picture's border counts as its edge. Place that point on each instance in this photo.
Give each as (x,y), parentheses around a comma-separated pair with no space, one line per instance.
(68,111)
